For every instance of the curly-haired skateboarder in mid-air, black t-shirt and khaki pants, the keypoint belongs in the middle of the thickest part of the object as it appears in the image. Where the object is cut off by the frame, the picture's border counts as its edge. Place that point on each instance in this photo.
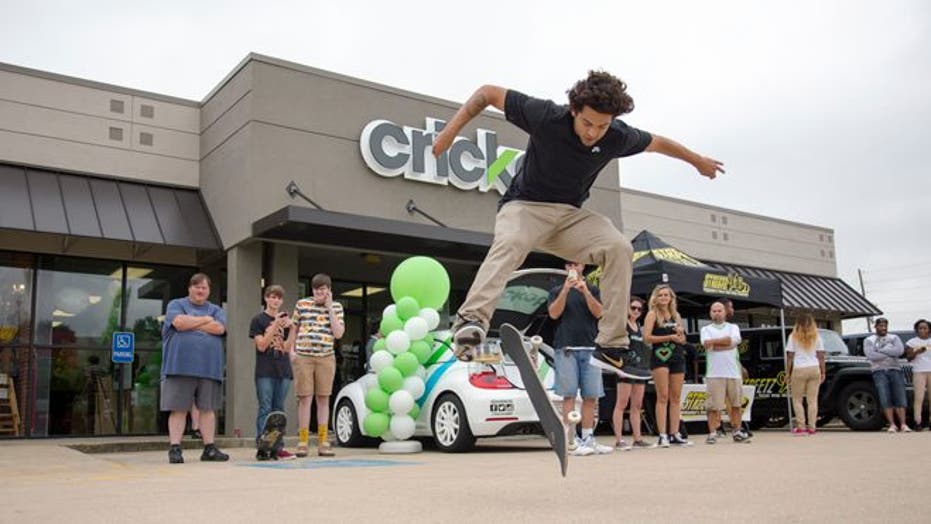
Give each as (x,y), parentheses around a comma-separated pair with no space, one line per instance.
(542,208)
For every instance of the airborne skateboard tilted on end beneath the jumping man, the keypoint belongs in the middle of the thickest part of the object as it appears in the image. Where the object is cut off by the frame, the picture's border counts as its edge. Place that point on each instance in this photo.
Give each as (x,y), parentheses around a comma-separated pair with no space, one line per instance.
(512,342)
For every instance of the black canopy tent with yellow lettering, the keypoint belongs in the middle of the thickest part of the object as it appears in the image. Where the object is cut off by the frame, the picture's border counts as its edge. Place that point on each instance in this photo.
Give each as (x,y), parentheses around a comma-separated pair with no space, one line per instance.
(696,284)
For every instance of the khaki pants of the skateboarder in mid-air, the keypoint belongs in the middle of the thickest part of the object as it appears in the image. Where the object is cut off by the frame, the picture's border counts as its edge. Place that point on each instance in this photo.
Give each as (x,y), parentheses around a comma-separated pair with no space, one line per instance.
(574,234)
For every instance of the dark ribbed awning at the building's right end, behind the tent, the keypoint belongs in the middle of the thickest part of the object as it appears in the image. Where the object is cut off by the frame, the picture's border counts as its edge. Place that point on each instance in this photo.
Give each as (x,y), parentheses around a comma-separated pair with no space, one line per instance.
(801,291)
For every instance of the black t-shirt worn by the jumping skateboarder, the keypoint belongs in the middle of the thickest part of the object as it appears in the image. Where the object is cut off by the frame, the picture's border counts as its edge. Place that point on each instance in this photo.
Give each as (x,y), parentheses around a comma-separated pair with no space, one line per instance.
(558,168)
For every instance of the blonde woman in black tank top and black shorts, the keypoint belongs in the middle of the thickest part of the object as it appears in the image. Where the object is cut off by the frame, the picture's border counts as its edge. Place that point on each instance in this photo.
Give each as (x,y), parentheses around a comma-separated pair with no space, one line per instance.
(662,328)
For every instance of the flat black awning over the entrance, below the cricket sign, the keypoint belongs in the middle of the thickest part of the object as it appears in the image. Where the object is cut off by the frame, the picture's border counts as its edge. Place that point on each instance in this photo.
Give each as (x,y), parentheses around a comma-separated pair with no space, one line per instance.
(314,226)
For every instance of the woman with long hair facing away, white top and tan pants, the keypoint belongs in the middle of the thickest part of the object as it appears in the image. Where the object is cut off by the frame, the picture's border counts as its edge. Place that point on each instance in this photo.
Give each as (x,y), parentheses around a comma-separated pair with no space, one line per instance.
(805,371)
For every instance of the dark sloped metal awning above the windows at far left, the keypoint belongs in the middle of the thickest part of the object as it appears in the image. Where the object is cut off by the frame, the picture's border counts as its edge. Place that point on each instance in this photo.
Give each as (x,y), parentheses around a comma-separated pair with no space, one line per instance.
(86,206)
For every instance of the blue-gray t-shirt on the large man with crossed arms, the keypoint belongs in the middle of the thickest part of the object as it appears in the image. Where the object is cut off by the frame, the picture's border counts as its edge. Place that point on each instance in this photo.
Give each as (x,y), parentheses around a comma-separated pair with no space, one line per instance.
(192,353)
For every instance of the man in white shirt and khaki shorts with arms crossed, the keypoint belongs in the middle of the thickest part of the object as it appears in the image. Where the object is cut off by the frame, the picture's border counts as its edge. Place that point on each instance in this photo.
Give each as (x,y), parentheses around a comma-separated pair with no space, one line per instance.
(723,376)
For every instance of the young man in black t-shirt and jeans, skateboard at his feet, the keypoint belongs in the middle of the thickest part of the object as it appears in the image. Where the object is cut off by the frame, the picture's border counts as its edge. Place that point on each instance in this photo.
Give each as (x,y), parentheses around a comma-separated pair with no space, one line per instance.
(273,333)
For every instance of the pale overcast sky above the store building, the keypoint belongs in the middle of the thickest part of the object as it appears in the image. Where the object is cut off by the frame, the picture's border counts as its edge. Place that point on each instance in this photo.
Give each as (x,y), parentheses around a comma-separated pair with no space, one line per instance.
(820,110)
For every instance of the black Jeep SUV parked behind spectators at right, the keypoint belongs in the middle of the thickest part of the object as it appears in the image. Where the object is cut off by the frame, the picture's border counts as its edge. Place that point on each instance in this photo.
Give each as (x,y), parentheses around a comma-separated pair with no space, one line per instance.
(847,391)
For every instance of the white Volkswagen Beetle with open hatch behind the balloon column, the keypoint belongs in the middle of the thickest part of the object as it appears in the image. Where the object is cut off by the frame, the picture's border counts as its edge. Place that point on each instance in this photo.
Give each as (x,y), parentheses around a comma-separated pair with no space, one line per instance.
(467,400)
